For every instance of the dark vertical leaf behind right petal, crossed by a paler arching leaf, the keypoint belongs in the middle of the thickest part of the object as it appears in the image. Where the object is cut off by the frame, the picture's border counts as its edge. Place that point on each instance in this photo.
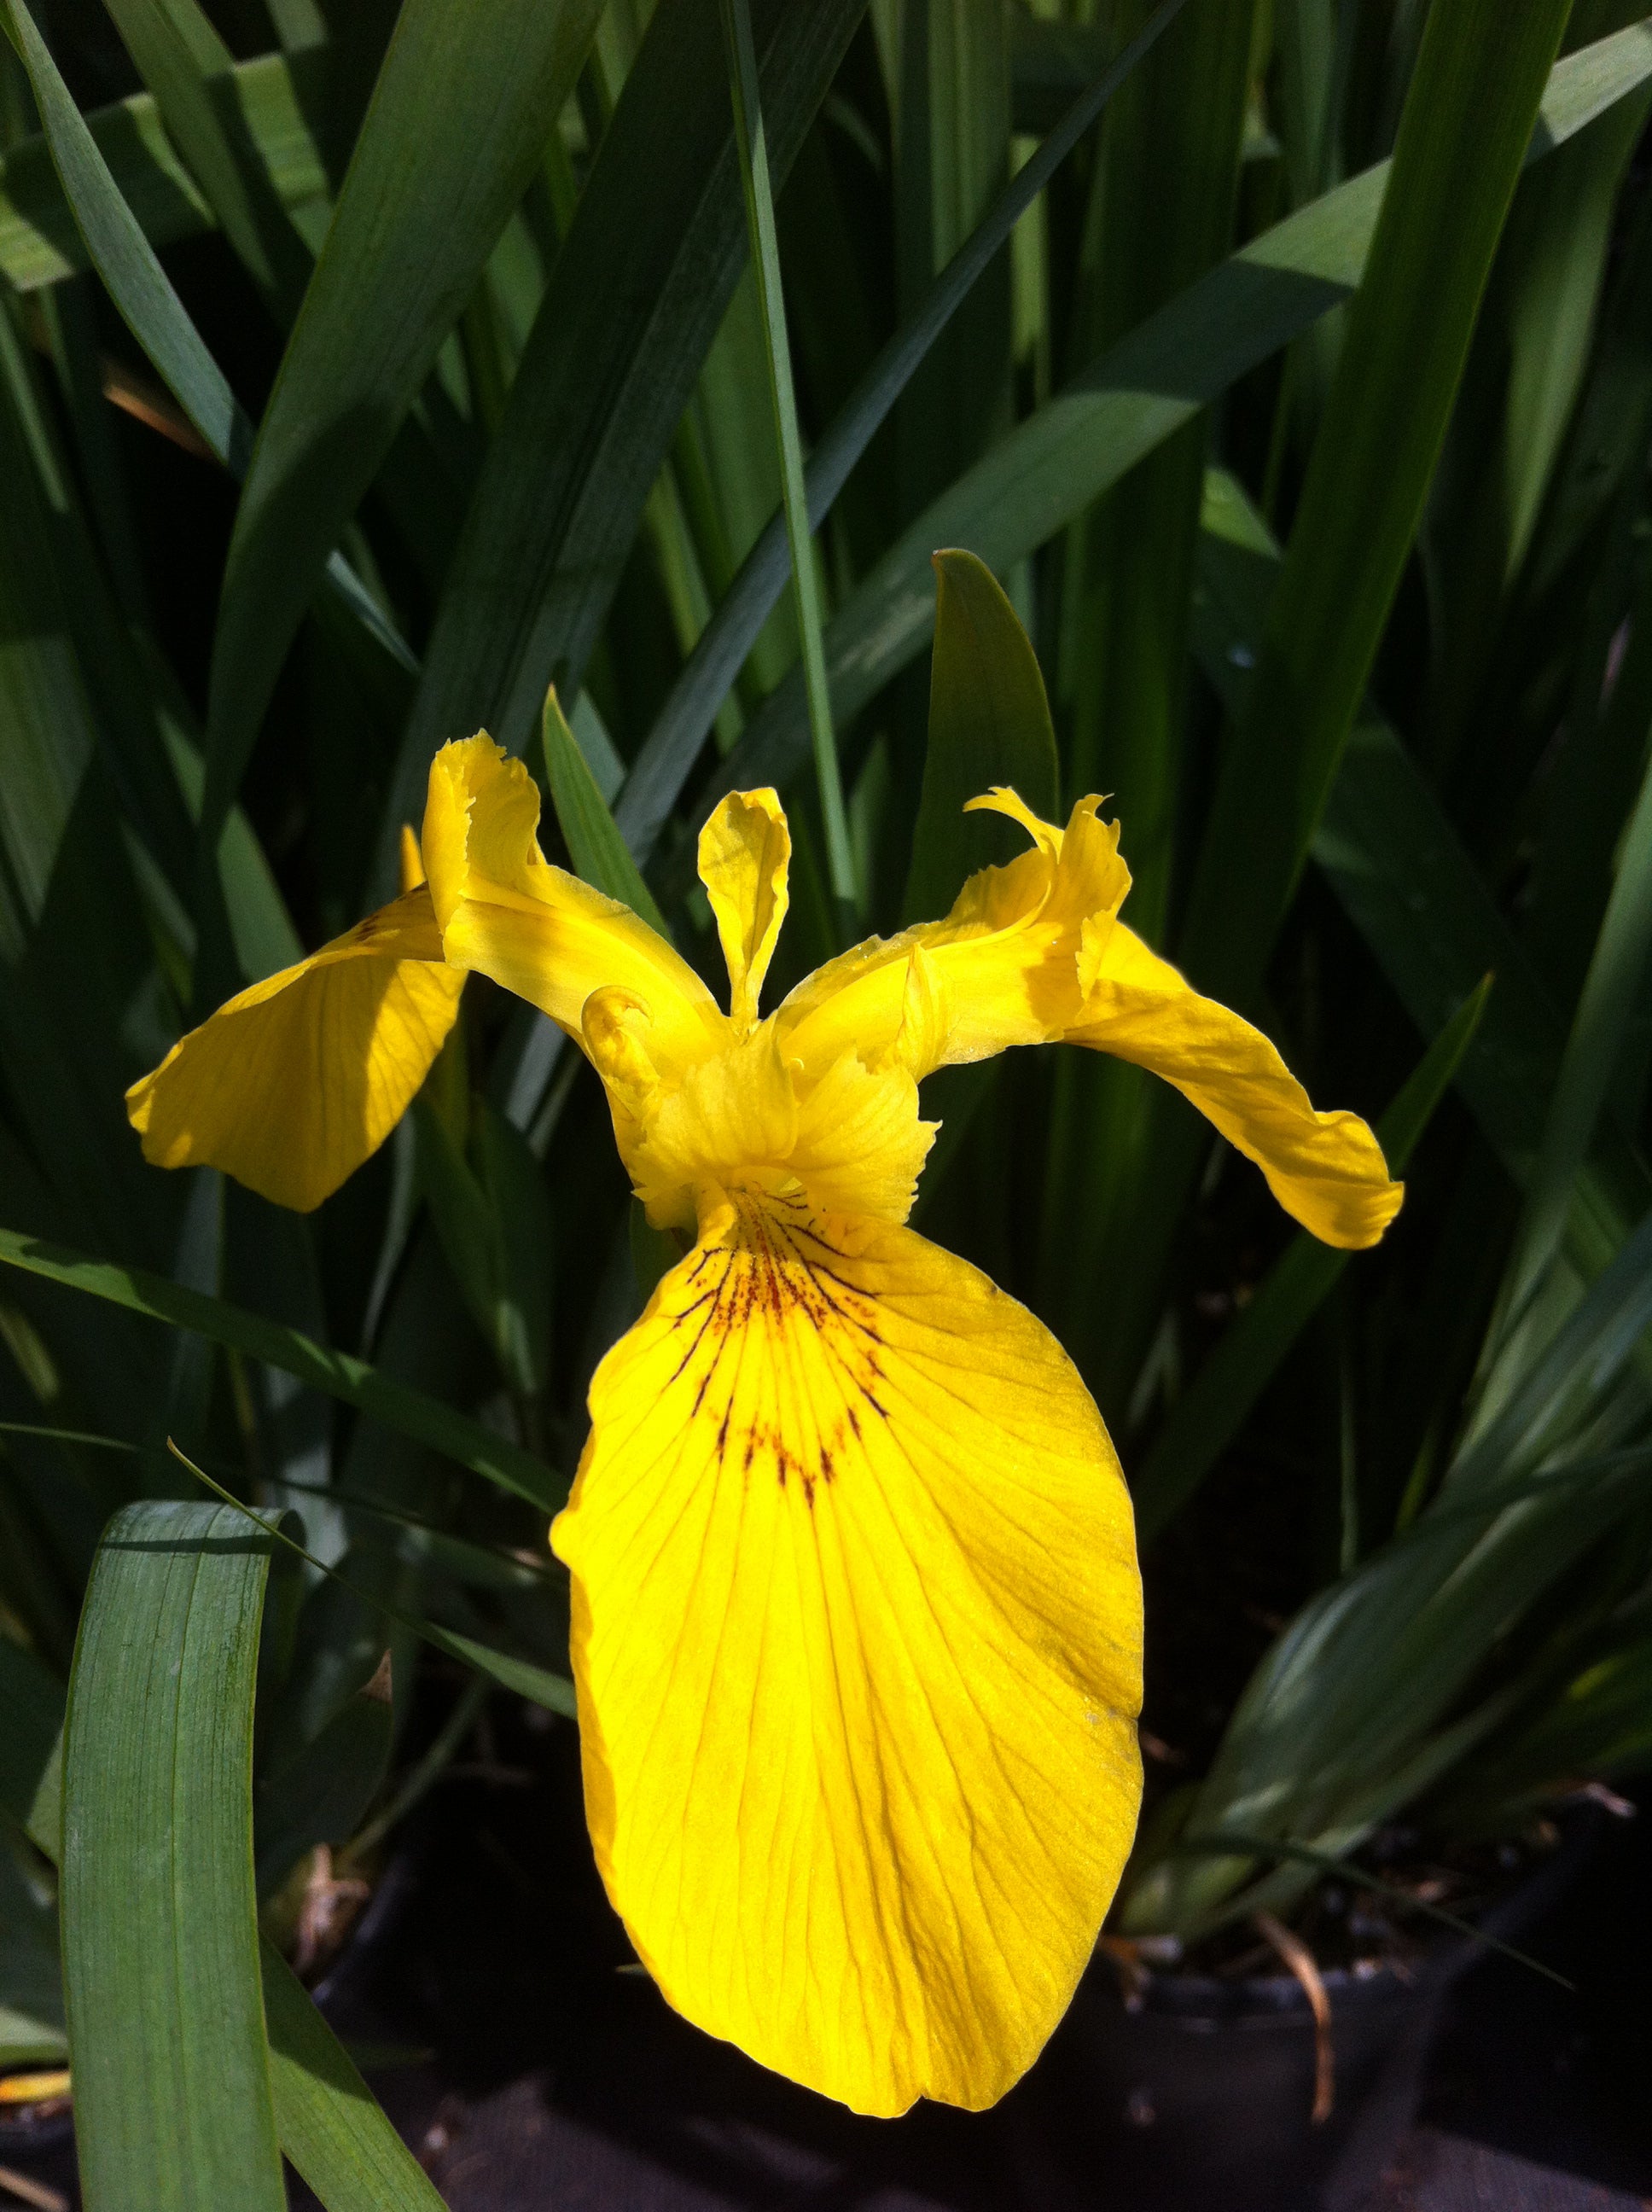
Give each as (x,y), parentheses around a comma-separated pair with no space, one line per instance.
(1127,570)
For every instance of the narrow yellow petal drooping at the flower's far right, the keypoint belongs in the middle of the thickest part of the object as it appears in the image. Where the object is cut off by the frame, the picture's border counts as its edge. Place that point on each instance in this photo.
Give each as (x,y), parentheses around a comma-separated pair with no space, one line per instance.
(1326,1169)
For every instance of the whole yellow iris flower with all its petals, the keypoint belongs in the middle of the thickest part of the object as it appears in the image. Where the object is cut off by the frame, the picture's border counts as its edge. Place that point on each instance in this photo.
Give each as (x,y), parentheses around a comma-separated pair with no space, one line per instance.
(857,1616)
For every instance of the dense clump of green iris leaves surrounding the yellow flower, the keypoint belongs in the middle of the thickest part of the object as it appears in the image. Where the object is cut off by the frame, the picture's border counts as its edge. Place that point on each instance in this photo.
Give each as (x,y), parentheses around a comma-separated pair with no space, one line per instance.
(368,371)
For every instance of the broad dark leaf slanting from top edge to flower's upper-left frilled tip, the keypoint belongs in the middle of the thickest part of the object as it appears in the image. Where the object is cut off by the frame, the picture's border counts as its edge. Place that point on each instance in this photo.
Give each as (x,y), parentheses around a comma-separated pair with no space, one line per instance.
(627,320)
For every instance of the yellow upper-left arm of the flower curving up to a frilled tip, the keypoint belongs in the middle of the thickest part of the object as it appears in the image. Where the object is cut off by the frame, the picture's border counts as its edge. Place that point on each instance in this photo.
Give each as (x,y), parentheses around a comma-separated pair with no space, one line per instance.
(534,928)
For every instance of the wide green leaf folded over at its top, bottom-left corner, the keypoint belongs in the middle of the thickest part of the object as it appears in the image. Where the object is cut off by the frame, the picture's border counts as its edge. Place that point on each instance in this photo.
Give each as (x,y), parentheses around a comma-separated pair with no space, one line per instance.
(174,2105)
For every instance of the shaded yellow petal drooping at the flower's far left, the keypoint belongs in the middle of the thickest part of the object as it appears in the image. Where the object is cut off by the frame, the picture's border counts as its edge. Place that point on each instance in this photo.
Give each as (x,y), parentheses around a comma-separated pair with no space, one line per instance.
(300,1078)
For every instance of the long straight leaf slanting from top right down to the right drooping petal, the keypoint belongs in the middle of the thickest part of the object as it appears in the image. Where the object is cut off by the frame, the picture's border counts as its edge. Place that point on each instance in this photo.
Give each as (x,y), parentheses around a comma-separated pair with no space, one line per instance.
(1463,140)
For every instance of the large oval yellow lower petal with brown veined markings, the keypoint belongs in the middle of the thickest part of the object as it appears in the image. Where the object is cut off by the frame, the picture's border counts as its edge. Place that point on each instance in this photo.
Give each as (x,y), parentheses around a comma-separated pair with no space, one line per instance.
(857,1631)
